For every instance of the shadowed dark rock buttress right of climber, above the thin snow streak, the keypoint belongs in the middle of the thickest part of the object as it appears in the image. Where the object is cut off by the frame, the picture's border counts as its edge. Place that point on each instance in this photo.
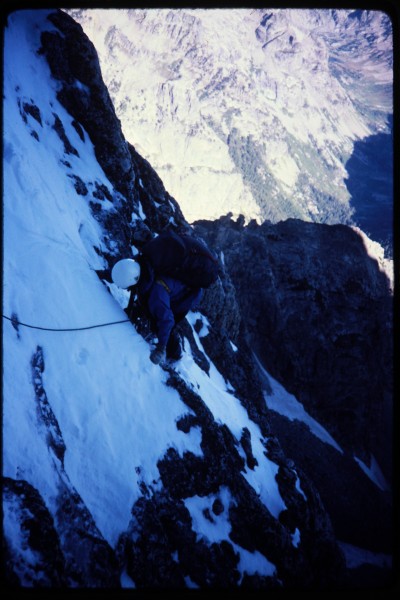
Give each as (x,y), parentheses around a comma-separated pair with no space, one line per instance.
(318,311)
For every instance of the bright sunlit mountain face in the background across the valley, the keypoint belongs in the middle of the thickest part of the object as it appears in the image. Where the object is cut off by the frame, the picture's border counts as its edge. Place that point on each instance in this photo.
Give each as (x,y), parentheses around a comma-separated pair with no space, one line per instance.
(271,113)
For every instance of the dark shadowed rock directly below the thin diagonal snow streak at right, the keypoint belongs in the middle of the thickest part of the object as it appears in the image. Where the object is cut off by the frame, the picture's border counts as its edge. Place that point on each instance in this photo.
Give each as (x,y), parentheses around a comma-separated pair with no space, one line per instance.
(360,512)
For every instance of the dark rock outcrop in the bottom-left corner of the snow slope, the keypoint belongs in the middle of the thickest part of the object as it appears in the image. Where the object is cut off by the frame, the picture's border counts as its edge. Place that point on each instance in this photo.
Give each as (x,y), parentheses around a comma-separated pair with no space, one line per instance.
(65,551)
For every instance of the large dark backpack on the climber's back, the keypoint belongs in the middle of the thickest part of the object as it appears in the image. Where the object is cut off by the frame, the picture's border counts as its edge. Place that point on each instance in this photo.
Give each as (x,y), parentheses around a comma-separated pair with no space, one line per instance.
(182,257)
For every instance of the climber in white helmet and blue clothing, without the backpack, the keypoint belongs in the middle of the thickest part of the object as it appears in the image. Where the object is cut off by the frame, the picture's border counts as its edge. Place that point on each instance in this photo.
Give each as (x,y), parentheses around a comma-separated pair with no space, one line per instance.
(163,300)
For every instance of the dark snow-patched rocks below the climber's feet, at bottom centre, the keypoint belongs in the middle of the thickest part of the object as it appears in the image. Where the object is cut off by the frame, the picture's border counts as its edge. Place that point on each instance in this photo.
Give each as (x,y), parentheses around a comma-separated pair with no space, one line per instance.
(161,524)
